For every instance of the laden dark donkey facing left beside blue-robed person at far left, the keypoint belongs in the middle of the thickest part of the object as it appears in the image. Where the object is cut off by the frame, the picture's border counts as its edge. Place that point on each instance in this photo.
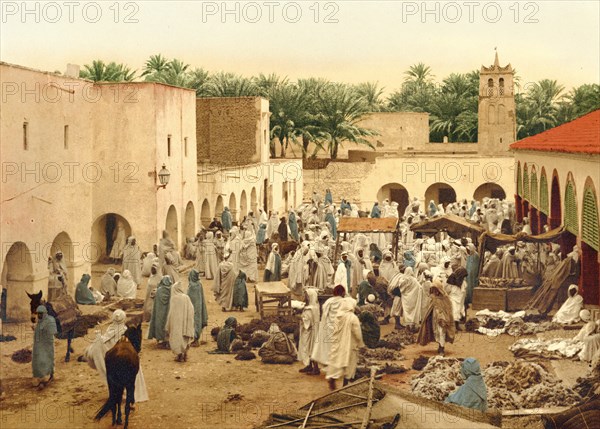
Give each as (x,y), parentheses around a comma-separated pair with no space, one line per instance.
(64,310)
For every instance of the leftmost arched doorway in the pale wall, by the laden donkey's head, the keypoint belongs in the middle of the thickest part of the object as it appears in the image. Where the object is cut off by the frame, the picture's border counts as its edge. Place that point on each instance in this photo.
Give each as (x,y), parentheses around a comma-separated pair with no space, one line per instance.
(16,279)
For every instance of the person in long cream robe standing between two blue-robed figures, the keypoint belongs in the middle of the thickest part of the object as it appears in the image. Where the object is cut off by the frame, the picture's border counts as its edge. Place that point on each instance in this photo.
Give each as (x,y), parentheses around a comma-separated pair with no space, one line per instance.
(180,322)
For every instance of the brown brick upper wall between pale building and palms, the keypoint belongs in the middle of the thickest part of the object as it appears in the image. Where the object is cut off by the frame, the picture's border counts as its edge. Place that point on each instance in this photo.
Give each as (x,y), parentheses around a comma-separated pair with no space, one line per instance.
(226,130)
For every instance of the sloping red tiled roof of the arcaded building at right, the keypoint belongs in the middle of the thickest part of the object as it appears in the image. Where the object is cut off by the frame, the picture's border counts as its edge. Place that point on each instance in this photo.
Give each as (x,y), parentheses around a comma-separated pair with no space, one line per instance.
(581,135)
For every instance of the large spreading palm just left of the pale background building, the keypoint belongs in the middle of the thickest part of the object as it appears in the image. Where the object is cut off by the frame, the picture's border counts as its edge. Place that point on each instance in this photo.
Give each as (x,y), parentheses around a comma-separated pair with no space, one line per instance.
(339,111)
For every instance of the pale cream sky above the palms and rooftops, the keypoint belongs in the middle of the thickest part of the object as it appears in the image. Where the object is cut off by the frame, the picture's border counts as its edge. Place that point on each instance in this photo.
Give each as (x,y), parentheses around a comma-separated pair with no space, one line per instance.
(347,41)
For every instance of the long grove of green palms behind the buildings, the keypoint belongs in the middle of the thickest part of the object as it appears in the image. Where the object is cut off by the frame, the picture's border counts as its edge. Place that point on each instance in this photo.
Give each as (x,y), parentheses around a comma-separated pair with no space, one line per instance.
(313,115)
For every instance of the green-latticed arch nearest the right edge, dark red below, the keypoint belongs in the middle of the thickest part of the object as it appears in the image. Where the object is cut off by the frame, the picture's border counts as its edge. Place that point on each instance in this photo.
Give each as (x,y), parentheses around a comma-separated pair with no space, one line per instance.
(590,245)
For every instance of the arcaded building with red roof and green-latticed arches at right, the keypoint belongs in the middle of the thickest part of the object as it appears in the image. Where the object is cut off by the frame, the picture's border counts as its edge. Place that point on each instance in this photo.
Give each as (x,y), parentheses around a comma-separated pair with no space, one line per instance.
(558,174)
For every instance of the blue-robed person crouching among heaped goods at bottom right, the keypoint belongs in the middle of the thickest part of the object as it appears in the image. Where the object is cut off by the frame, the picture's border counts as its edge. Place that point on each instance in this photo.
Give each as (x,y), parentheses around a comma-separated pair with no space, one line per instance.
(473,393)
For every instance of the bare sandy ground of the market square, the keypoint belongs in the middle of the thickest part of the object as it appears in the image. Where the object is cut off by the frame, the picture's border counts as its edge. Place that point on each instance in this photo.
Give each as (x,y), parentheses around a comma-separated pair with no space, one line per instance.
(208,391)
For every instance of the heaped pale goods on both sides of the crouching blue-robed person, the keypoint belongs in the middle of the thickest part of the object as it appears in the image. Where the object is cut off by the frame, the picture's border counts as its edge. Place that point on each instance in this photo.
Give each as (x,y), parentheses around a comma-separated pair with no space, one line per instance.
(509,385)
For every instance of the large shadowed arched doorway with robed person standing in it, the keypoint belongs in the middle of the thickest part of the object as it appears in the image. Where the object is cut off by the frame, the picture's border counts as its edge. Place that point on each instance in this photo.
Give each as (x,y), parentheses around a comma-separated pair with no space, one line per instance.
(105,230)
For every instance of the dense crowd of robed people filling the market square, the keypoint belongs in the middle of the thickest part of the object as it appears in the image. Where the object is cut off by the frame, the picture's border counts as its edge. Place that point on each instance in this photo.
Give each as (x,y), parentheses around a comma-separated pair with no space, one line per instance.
(422,283)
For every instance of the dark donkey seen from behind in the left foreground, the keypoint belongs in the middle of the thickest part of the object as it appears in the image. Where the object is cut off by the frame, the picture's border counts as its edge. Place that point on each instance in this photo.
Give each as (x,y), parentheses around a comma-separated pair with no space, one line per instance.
(122,365)
